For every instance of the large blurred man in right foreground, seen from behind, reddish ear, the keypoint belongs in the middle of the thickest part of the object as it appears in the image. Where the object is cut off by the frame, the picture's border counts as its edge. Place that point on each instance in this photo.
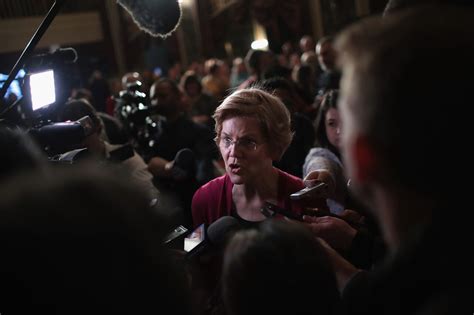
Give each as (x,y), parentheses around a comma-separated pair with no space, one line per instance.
(394,161)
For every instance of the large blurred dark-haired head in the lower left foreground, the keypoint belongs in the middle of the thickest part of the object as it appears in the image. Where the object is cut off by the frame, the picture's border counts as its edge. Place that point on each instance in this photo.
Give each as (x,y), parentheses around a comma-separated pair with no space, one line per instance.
(84,242)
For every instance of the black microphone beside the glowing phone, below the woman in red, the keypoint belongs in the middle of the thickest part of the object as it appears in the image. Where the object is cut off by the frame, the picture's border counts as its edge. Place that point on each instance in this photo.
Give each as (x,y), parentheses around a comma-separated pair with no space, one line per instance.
(216,236)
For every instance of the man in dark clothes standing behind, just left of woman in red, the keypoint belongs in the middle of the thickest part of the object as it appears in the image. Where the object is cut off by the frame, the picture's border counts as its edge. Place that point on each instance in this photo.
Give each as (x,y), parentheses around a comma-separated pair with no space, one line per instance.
(177,134)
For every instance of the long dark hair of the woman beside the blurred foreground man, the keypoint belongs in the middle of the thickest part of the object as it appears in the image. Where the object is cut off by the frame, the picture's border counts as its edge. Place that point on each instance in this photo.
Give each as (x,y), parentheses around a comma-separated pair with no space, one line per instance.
(329,101)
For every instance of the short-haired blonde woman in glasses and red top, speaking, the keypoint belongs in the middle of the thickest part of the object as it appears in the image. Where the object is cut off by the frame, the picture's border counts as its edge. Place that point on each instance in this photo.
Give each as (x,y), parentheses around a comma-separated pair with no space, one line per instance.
(253,129)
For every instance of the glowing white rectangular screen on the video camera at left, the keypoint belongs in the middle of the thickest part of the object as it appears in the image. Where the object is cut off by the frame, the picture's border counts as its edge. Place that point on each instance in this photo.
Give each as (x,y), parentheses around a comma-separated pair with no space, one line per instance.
(42,89)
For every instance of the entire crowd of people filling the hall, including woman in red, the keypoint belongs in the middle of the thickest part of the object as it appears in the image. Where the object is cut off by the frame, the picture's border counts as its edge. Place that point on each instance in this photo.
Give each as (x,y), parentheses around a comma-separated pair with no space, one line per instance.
(367,112)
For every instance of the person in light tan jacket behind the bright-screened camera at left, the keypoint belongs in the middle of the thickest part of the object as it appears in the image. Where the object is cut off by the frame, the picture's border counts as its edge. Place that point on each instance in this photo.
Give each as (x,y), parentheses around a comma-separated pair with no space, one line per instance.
(97,147)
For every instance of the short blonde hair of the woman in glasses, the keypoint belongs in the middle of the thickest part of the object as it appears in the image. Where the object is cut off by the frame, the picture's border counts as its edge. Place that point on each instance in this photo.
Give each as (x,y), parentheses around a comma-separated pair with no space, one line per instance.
(272,115)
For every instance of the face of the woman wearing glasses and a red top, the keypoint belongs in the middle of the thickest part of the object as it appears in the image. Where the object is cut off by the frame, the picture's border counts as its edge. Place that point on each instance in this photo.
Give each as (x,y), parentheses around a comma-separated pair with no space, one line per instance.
(243,149)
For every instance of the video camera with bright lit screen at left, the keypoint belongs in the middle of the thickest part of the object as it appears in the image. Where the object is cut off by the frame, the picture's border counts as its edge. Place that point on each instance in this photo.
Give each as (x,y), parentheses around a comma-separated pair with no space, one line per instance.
(45,89)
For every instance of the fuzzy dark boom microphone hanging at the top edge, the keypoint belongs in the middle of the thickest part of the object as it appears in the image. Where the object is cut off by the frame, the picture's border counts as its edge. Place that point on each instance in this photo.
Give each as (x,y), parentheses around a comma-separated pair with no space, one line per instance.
(158,18)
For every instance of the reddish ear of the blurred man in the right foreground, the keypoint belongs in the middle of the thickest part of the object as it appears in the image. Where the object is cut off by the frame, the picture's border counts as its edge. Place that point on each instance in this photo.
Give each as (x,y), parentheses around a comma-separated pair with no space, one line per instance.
(366,164)
